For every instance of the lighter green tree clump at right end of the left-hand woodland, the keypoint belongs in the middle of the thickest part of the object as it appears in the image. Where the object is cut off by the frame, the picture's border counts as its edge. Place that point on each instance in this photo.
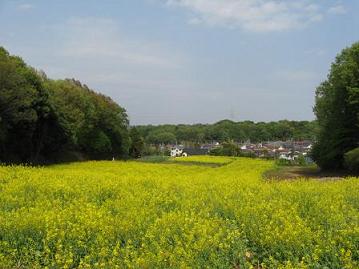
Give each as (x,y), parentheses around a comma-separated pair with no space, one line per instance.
(95,124)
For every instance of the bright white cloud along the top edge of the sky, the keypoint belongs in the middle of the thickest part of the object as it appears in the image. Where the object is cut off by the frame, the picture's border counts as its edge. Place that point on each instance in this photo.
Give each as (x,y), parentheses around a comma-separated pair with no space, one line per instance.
(255,15)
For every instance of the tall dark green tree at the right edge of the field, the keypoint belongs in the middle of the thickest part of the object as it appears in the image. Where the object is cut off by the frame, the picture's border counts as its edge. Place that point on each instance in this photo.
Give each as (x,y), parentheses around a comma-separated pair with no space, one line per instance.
(337,110)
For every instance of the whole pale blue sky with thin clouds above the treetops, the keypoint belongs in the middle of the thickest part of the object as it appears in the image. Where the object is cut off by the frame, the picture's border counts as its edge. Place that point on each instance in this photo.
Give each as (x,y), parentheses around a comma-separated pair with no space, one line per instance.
(187,61)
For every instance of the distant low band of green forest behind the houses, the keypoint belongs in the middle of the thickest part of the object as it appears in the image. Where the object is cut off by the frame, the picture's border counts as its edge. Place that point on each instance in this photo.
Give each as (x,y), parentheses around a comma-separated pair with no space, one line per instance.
(227,130)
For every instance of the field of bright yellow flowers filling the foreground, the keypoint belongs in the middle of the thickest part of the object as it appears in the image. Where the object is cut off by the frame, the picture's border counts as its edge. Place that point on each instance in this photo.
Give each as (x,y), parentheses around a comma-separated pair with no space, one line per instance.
(170,215)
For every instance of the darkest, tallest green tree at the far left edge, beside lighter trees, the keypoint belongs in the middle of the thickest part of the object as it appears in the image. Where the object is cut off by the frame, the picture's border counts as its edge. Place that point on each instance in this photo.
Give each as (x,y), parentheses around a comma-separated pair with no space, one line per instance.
(28,123)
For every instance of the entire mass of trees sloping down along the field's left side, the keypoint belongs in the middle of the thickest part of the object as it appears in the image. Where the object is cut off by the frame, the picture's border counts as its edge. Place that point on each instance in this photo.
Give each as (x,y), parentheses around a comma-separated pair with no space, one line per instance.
(44,120)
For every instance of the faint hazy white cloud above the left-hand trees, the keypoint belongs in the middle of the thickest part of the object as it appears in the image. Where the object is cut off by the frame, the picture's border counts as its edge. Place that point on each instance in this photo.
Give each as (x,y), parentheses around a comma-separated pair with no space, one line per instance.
(93,38)
